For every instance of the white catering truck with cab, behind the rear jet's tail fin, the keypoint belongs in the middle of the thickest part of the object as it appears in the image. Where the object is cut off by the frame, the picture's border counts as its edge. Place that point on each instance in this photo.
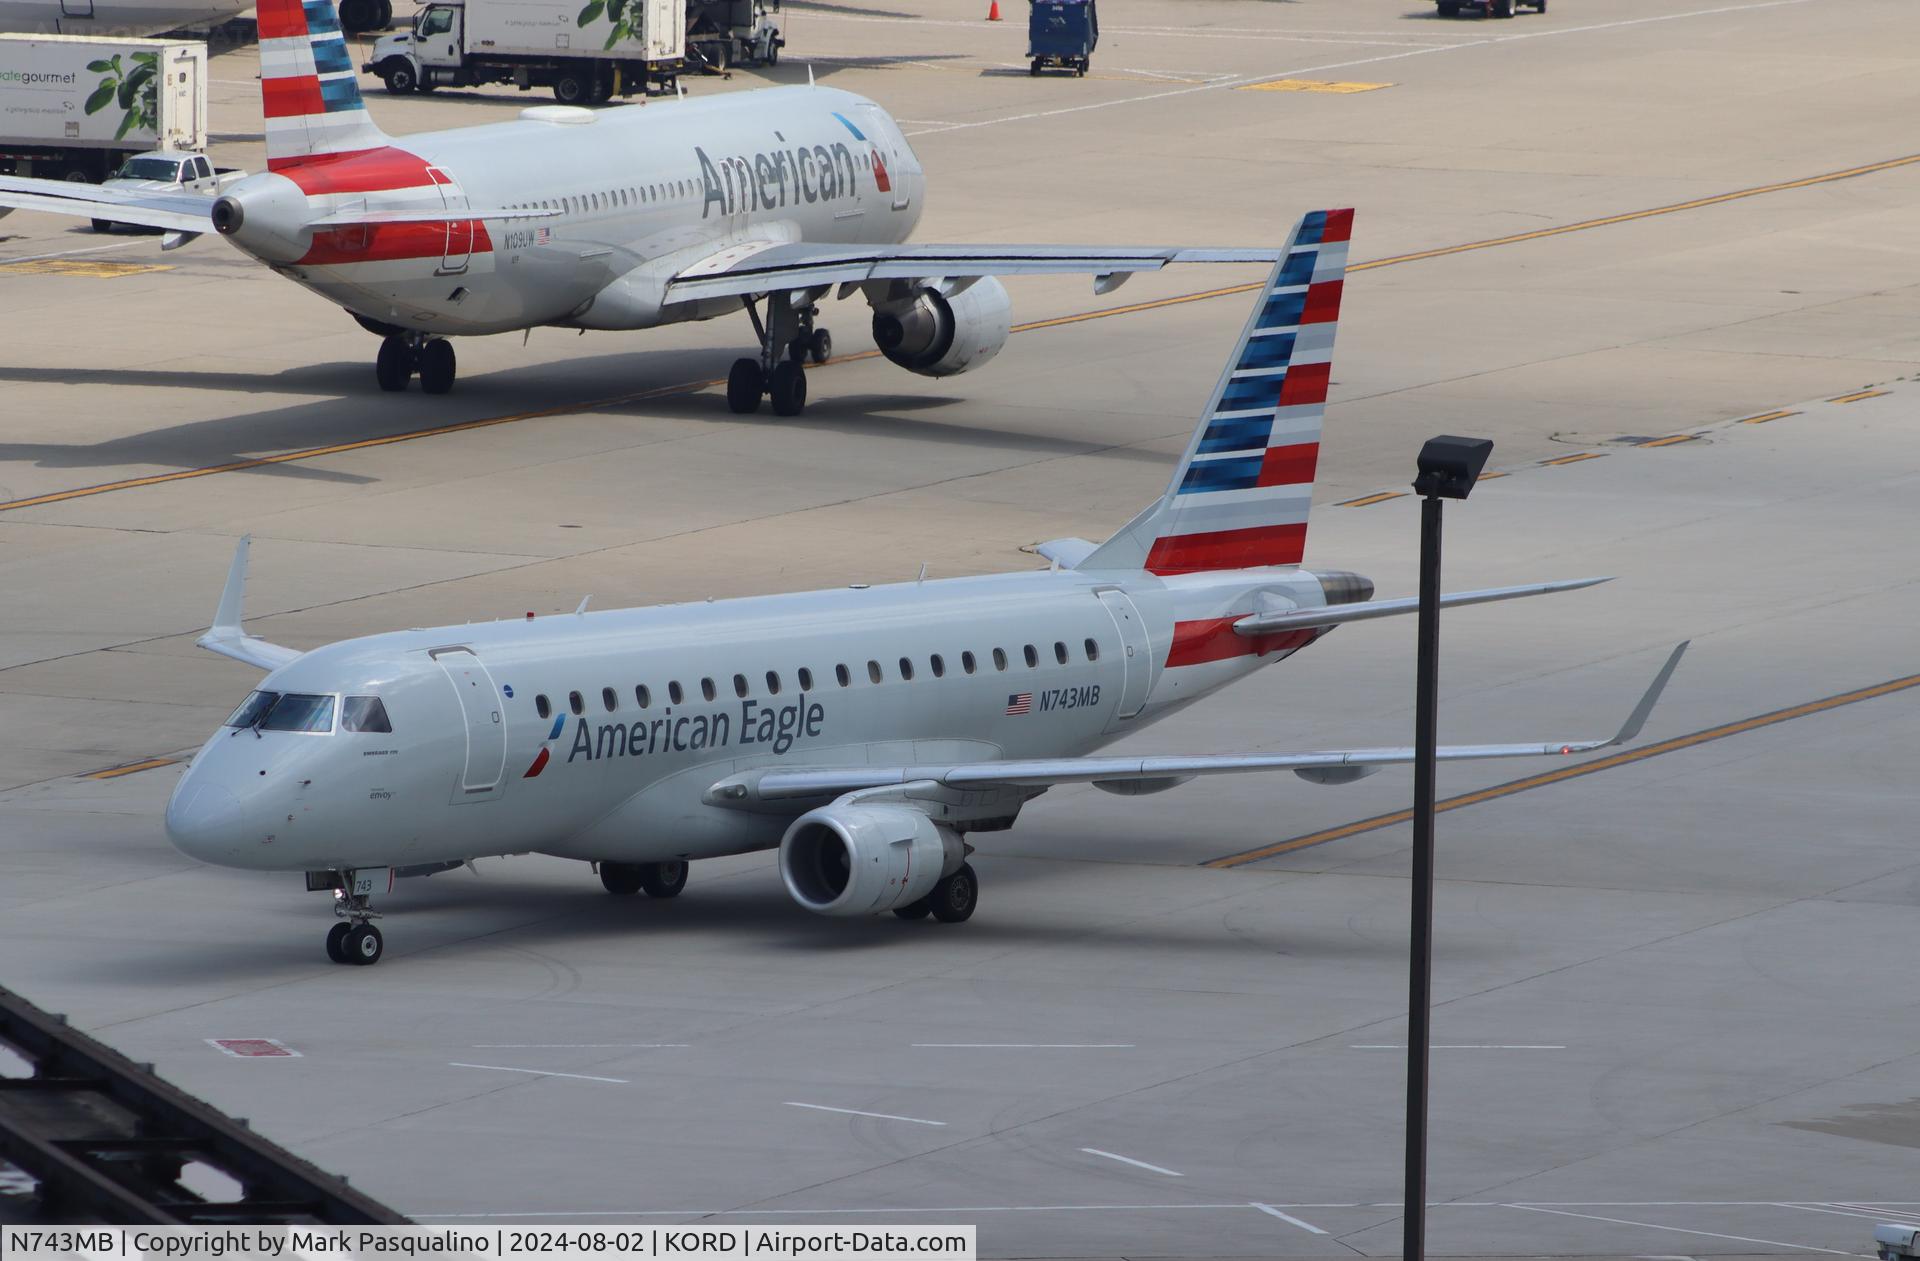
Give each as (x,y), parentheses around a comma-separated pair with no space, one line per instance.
(587,51)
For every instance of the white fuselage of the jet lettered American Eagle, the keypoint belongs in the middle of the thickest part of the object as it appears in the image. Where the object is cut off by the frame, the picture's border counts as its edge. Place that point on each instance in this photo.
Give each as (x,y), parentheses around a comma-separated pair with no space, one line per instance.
(473,767)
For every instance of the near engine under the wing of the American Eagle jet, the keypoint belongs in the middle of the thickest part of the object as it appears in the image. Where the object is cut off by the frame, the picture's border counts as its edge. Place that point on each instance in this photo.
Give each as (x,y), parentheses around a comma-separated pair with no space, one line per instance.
(861,861)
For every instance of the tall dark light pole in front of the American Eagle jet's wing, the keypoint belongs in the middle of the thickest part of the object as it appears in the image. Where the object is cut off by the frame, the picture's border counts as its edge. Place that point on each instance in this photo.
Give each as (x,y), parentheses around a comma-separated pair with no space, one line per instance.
(1449,471)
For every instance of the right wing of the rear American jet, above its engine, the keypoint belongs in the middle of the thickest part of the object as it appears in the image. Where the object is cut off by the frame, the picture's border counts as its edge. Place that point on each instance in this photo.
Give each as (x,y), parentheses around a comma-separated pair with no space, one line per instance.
(763,268)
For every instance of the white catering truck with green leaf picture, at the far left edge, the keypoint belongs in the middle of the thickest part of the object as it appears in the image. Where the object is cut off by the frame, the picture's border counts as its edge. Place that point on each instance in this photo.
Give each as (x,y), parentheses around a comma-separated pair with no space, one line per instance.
(76,107)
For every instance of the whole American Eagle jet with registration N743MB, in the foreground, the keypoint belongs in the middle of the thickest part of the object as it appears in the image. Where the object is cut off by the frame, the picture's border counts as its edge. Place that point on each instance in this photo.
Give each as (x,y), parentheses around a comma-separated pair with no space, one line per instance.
(861,732)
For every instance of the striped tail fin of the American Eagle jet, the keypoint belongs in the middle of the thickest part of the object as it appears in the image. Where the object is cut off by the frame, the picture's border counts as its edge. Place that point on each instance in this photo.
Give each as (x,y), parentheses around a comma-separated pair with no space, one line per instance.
(1241,494)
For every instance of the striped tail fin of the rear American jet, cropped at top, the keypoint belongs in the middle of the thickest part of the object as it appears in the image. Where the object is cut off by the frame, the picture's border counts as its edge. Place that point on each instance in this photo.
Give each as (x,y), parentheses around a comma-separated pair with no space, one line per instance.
(308,89)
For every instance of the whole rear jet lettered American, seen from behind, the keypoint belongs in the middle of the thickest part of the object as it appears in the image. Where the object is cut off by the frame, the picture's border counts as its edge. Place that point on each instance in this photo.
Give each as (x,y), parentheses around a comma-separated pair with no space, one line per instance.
(615,220)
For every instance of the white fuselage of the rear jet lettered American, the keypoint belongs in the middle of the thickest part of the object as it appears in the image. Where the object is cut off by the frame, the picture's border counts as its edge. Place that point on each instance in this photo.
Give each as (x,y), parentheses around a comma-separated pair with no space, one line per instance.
(633,197)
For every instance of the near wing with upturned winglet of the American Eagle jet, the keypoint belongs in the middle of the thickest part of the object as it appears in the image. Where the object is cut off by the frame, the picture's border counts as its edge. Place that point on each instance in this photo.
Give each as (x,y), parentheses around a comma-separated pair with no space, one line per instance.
(771,786)
